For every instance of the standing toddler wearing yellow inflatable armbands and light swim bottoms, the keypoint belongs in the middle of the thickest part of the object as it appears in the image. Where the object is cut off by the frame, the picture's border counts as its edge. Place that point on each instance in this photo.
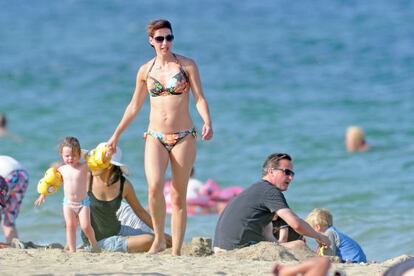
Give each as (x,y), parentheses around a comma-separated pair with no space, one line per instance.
(76,201)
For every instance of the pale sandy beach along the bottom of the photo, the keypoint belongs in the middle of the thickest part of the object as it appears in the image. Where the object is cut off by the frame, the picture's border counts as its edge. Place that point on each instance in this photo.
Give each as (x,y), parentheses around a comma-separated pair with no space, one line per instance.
(254,260)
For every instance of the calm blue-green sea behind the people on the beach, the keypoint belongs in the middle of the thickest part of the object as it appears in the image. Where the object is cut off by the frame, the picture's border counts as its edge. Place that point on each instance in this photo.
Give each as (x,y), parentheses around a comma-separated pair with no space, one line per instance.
(280,76)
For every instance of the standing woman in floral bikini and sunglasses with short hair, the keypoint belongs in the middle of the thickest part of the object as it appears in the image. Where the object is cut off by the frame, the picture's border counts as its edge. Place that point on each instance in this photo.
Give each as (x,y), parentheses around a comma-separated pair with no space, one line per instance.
(171,135)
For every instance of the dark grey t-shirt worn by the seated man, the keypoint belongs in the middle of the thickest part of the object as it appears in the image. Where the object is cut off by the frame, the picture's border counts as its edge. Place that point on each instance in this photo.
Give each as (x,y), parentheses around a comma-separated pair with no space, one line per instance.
(244,218)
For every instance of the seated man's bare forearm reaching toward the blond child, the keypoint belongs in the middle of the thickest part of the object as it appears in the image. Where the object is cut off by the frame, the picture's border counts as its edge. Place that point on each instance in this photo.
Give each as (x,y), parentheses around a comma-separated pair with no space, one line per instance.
(301,226)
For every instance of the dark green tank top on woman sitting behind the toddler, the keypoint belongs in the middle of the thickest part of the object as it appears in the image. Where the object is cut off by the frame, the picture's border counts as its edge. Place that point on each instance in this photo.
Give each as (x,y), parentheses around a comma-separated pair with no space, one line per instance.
(104,221)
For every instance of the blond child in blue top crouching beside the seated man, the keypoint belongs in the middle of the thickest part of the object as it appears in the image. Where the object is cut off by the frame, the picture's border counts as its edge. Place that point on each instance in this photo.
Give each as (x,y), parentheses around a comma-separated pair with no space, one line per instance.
(342,246)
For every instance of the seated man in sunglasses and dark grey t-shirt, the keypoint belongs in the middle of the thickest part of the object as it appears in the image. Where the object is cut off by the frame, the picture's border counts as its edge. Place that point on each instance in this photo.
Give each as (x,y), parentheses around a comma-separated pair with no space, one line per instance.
(245,218)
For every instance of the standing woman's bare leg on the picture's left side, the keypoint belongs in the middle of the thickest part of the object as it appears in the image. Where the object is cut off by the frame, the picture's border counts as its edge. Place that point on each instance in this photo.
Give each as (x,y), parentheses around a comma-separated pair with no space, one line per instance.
(156,162)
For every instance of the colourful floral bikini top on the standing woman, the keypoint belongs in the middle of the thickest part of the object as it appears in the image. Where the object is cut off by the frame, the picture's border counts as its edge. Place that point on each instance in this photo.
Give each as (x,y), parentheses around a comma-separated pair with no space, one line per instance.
(177,85)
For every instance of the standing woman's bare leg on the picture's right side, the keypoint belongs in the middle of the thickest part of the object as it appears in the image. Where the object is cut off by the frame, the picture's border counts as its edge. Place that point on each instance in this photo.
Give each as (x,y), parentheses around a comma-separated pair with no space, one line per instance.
(182,160)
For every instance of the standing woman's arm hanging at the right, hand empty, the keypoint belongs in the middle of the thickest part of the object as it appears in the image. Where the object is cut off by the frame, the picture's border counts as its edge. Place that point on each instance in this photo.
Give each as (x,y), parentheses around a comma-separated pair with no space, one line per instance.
(200,101)
